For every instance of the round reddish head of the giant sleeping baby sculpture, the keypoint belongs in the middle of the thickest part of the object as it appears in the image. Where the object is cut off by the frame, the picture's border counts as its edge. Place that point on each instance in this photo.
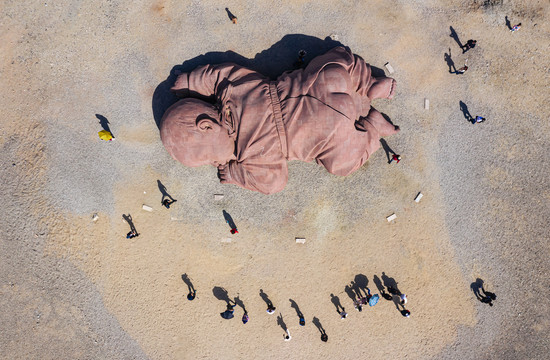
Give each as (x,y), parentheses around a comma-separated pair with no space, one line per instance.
(191,132)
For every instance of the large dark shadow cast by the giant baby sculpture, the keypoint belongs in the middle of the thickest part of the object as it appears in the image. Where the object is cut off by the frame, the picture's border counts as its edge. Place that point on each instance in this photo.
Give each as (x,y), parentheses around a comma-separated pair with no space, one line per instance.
(280,57)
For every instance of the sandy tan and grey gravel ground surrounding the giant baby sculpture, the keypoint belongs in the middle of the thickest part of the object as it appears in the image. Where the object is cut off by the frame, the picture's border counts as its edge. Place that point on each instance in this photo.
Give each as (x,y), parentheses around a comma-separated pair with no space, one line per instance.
(72,288)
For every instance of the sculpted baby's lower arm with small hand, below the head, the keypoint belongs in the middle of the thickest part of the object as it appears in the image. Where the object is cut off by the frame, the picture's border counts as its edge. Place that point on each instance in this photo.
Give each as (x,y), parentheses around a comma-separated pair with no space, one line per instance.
(255,174)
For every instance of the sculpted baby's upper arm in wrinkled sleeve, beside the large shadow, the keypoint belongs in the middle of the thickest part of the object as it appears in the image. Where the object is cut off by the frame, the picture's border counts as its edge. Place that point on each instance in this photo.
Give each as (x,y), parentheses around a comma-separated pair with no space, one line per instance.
(208,80)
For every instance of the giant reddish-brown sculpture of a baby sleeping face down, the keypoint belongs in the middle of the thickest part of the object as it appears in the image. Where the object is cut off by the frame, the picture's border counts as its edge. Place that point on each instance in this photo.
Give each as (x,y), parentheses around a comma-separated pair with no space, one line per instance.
(321,113)
